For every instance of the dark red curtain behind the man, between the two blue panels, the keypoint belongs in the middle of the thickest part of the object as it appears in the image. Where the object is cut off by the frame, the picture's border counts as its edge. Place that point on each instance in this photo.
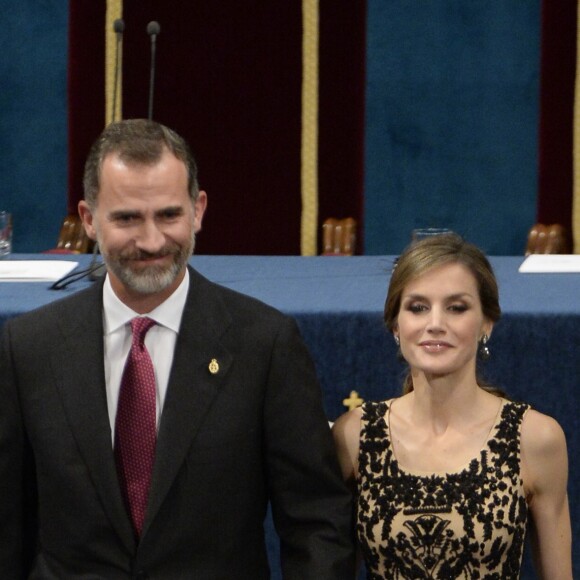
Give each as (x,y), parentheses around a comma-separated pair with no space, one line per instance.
(228,78)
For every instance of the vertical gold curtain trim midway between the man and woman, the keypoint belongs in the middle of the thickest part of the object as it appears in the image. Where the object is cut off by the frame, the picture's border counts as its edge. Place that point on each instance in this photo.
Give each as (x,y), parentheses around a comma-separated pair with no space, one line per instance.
(309,148)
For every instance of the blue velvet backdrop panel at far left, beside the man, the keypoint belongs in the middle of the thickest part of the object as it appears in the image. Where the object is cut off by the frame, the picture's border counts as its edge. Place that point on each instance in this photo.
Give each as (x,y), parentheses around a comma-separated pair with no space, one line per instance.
(33,122)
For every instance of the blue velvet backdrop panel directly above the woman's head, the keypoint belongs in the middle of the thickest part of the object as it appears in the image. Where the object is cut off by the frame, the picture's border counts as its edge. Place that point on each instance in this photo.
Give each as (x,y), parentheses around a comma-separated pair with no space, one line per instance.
(451,121)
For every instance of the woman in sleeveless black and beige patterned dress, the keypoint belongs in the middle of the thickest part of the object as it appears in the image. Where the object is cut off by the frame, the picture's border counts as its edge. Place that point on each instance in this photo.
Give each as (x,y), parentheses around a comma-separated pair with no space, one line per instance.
(446,474)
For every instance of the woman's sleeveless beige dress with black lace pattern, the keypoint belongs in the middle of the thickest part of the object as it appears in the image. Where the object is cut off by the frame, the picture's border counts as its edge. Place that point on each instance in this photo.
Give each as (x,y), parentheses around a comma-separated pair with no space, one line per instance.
(469,524)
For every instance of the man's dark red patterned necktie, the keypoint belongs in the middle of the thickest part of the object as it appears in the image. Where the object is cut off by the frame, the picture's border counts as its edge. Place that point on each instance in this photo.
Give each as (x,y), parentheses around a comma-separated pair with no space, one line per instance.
(135,425)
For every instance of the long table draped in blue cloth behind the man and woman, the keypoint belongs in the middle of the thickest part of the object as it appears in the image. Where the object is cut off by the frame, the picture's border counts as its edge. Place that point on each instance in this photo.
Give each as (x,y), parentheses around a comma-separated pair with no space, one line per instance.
(338,303)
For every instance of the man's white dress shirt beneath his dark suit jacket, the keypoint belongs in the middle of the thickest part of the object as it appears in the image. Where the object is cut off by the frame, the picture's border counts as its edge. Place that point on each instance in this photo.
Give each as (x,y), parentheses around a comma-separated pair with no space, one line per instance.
(160,342)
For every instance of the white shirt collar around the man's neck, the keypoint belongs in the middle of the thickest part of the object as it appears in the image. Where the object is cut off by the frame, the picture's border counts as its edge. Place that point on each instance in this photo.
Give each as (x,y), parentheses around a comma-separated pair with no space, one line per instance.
(117,314)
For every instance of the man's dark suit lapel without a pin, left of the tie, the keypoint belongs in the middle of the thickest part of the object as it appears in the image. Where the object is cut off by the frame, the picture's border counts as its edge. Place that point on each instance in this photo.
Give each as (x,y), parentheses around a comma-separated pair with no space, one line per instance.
(79,368)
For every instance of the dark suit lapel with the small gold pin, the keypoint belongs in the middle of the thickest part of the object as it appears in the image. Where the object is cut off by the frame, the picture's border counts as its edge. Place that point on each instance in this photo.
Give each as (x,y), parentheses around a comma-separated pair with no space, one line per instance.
(200,365)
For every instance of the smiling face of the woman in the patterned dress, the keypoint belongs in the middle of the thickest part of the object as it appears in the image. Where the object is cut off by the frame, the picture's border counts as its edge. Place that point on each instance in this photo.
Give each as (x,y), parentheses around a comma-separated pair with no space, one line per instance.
(440,321)
